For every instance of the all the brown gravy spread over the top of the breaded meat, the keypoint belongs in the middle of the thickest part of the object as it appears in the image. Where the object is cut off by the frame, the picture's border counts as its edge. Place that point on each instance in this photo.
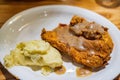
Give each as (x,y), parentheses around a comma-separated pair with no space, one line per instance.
(80,35)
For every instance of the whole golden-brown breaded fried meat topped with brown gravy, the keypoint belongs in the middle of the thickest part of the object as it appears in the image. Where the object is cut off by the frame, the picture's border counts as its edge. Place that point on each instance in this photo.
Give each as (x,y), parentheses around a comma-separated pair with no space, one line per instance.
(87,43)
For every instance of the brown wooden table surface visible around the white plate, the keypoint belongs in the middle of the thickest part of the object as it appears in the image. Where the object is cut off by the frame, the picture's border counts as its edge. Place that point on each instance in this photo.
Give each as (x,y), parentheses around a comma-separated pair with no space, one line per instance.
(10,7)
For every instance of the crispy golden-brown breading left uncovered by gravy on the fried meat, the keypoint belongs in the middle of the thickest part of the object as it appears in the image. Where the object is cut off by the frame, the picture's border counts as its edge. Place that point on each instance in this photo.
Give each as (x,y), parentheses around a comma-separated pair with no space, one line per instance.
(102,47)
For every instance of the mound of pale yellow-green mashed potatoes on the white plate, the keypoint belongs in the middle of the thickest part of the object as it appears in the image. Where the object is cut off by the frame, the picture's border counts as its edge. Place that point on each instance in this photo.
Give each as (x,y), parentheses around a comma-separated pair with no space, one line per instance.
(34,53)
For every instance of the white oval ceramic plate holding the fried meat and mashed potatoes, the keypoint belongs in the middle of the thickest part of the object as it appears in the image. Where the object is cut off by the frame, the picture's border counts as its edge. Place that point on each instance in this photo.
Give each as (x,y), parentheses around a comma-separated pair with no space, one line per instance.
(27,25)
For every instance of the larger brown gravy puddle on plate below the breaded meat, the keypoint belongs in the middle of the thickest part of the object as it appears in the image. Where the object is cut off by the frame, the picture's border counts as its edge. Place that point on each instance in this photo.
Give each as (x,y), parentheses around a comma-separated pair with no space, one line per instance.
(82,72)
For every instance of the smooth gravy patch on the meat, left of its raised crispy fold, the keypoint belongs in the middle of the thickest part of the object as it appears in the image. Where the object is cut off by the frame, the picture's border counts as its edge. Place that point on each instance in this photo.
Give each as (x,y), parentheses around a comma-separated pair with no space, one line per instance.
(66,37)
